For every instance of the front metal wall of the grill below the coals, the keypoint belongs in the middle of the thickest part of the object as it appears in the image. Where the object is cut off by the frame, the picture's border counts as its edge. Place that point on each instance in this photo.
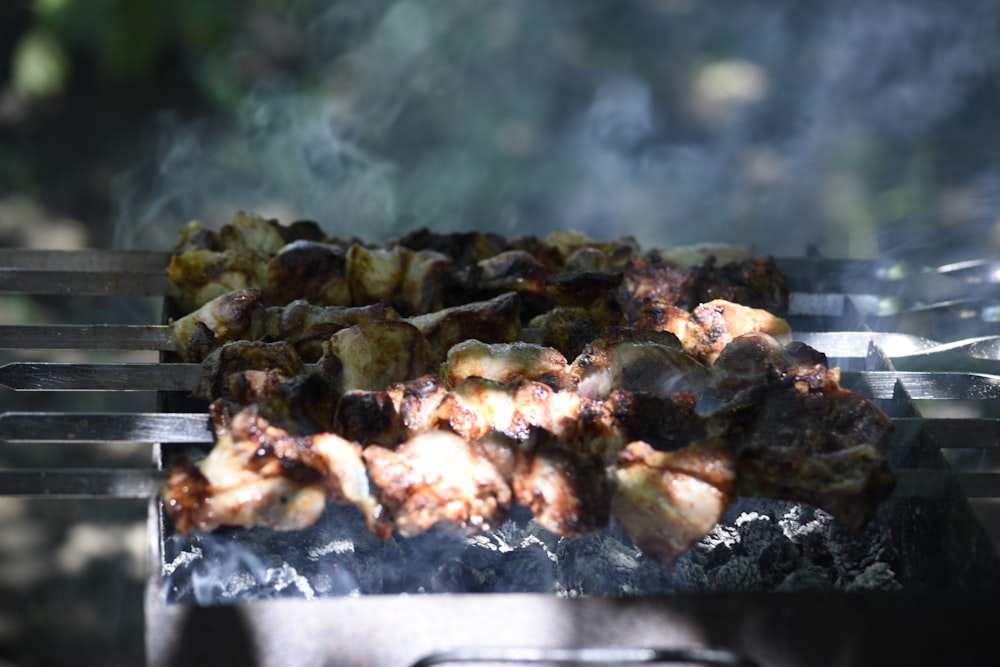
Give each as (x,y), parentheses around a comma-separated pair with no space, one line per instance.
(785,630)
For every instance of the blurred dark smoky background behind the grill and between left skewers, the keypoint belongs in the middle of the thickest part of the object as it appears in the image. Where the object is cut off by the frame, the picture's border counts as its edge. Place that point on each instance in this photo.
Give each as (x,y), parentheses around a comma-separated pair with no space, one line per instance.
(860,128)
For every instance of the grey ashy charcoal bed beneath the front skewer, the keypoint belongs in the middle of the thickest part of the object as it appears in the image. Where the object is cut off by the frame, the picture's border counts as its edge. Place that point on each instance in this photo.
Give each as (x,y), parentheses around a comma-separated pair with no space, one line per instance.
(759,546)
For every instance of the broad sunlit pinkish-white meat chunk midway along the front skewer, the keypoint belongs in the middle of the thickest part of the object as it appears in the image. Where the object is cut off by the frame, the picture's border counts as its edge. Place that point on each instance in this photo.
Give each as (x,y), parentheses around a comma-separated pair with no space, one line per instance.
(439,479)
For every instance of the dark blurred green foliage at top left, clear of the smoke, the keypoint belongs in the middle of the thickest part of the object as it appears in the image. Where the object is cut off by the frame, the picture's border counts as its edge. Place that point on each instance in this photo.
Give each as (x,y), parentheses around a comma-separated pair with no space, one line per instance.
(79,82)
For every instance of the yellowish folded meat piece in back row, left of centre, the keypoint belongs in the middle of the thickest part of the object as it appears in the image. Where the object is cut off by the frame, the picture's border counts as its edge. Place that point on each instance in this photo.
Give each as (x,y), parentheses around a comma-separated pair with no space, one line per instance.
(412,282)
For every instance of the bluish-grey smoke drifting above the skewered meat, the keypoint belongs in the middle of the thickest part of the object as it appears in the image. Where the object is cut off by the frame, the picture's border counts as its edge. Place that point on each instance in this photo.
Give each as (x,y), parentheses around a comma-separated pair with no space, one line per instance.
(777,124)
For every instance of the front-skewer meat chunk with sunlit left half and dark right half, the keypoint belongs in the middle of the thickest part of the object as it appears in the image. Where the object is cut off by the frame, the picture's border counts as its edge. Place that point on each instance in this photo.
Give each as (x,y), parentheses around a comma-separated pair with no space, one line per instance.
(567,491)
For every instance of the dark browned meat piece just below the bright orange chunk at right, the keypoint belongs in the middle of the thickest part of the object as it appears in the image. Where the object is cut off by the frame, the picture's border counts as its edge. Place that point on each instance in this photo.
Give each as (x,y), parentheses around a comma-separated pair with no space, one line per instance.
(758,358)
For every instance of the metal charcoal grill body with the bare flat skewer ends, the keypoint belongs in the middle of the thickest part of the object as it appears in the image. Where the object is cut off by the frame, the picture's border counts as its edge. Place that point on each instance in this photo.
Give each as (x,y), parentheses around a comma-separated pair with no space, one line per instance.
(910,338)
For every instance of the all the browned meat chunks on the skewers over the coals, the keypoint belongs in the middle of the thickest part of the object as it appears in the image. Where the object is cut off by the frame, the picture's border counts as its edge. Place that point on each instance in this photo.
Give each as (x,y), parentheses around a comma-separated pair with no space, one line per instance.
(424,409)
